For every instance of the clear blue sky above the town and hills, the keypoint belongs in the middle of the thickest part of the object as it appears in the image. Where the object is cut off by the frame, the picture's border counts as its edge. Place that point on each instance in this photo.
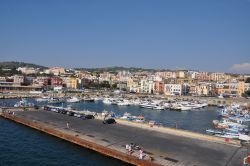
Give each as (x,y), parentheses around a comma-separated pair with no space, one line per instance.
(206,35)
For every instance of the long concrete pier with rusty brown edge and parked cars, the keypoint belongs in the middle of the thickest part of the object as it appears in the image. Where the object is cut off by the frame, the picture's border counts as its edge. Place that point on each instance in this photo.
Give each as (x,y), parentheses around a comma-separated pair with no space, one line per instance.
(164,147)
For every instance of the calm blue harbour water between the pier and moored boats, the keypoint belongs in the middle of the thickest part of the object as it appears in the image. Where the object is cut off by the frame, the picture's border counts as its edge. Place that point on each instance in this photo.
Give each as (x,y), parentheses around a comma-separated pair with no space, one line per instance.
(195,120)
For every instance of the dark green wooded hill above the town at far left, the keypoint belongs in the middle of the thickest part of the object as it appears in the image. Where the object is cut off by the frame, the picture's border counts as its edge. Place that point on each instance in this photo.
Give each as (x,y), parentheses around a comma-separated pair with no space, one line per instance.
(14,65)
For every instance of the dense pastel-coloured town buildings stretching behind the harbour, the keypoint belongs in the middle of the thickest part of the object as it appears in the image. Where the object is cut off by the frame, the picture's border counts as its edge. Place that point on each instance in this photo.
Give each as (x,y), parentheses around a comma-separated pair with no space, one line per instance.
(170,83)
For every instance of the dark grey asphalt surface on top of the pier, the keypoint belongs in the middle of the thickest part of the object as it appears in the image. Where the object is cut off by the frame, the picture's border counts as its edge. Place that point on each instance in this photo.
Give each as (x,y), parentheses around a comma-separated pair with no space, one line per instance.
(166,149)
